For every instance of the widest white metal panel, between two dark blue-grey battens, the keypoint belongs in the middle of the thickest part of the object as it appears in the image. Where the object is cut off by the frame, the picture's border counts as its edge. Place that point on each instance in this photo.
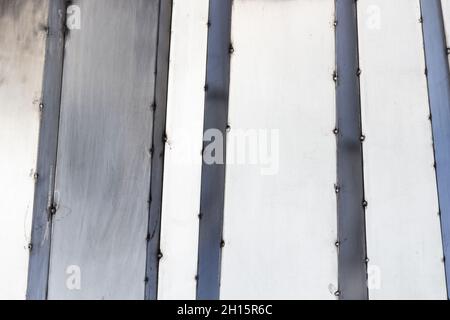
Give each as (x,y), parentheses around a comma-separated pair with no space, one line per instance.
(280,215)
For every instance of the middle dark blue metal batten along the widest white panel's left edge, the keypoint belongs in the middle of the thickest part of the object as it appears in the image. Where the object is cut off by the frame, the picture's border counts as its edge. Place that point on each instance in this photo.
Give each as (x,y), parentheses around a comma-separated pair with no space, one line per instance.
(213,176)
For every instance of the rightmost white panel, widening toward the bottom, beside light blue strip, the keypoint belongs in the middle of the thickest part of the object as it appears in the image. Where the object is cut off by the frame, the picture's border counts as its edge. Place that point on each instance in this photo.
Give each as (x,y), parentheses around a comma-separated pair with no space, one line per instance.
(403,227)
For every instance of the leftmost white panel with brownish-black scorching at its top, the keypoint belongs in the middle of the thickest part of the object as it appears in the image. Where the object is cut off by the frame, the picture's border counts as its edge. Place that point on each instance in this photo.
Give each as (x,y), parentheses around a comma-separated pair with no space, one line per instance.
(22,53)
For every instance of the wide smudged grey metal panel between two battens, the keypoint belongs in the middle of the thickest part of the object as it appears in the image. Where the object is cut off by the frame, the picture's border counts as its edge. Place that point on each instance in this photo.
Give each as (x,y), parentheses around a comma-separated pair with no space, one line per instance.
(104,158)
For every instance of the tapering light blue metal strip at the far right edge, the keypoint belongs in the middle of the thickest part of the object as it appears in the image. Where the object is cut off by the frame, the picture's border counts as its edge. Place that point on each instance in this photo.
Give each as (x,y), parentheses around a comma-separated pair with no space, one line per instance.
(439,97)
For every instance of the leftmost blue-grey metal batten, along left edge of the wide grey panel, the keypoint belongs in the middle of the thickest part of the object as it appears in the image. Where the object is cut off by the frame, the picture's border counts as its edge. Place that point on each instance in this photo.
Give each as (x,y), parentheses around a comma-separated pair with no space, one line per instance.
(48,145)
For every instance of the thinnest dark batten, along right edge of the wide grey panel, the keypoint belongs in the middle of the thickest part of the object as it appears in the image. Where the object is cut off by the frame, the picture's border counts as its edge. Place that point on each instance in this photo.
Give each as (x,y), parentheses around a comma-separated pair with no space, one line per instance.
(159,132)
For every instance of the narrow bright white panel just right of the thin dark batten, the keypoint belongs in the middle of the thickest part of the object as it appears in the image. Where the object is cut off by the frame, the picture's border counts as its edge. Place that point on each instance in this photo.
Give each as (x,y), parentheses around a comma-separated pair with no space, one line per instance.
(183,158)
